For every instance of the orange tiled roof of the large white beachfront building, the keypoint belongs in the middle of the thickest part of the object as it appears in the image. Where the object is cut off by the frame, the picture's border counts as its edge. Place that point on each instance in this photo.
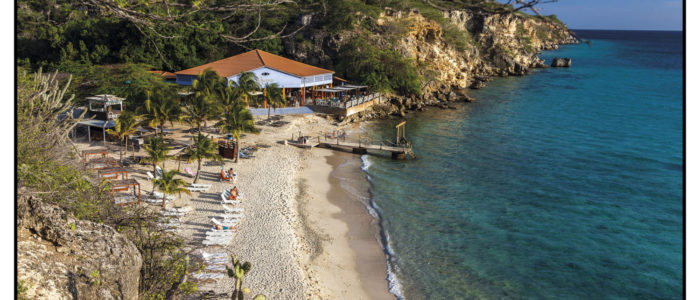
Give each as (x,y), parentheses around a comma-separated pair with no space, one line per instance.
(254,59)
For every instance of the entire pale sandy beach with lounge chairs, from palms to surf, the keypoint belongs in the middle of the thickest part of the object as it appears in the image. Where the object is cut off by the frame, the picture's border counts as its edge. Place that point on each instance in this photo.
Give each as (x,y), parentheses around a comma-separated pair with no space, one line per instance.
(305,235)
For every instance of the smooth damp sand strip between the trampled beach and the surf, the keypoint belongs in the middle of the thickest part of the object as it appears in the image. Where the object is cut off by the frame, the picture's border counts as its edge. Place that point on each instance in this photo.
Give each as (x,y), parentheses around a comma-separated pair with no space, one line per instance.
(348,260)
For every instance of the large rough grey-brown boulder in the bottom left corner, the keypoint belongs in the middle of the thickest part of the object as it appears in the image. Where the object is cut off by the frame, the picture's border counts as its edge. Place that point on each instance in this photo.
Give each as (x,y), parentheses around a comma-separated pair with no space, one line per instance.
(60,257)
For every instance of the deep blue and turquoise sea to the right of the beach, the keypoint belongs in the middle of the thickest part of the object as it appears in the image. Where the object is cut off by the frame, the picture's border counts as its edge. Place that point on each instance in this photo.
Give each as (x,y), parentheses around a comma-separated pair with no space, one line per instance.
(563,184)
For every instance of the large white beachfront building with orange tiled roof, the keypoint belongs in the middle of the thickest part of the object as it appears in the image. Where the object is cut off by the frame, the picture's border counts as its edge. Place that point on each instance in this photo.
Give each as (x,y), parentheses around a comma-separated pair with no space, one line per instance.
(298,80)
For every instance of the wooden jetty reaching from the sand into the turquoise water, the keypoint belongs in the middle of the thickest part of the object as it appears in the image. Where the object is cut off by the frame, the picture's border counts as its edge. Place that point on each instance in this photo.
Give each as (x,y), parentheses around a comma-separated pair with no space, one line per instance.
(400,150)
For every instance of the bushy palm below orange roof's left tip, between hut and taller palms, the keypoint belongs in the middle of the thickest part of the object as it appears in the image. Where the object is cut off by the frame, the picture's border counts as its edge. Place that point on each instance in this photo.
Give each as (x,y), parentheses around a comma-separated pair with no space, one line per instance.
(162,106)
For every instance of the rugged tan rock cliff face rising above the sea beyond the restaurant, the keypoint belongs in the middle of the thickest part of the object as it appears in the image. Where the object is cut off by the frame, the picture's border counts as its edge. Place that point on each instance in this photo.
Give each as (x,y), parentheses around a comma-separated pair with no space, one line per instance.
(479,46)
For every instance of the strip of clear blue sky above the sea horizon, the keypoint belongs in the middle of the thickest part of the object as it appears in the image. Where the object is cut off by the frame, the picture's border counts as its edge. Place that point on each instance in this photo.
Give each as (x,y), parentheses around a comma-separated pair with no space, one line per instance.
(617,14)
